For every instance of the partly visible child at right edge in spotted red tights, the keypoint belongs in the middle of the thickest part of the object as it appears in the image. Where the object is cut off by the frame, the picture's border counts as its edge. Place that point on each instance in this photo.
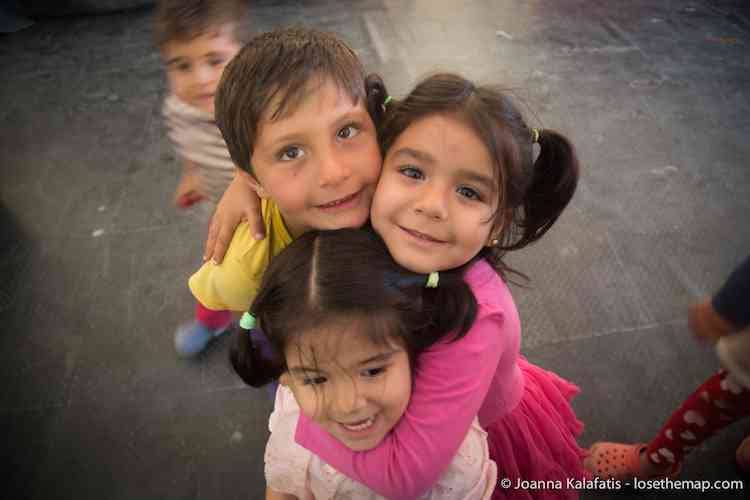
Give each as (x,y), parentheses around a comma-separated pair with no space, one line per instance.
(721,400)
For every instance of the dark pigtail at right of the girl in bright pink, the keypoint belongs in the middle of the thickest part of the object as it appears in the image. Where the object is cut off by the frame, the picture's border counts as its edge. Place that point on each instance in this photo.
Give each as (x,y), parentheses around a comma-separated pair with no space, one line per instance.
(553,182)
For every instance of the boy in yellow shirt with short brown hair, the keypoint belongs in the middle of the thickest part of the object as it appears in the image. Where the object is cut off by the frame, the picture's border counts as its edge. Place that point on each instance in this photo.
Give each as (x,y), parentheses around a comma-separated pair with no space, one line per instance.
(294,108)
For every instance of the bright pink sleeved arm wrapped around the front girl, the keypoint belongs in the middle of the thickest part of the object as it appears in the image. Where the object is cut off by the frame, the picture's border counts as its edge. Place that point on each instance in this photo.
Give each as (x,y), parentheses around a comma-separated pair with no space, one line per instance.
(450,385)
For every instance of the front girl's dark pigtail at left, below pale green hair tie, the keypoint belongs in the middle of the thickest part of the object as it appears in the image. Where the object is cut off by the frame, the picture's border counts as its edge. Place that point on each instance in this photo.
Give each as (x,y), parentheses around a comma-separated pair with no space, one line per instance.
(254,364)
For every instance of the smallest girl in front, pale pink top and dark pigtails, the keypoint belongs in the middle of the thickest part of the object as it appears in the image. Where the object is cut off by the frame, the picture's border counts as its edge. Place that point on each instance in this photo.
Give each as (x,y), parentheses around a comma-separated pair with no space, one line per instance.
(351,325)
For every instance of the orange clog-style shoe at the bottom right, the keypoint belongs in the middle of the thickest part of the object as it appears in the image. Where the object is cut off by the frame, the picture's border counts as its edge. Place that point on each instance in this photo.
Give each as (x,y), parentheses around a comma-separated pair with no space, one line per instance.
(622,462)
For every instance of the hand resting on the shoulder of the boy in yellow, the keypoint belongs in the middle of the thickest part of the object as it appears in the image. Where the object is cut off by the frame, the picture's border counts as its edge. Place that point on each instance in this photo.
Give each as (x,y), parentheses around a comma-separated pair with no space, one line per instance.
(239,202)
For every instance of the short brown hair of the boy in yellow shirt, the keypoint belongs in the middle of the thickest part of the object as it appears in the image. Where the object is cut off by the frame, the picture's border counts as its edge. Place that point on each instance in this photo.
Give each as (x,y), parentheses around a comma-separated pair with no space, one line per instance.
(271,76)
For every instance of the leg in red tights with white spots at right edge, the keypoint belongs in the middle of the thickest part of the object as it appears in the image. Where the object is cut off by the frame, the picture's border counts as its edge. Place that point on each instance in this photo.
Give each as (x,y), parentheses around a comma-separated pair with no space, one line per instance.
(714,405)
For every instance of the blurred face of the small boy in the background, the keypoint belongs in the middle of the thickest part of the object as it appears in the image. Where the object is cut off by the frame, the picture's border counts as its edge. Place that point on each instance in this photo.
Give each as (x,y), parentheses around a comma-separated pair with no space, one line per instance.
(194,67)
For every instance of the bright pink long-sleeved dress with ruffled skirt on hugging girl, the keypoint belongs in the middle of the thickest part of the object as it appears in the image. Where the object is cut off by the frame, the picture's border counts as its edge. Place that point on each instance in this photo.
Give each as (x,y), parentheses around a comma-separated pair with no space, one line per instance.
(525,410)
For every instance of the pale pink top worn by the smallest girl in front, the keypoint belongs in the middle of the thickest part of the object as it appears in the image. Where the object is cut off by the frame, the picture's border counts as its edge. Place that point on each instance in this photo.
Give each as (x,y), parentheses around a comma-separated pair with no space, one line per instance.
(291,469)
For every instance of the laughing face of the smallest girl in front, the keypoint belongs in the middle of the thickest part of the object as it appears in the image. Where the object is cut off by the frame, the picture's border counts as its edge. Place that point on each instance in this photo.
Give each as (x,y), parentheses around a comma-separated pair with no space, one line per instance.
(354,389)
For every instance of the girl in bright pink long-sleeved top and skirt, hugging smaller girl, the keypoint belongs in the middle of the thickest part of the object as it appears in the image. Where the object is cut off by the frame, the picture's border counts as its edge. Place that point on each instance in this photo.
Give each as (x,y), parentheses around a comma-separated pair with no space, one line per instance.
(458,189)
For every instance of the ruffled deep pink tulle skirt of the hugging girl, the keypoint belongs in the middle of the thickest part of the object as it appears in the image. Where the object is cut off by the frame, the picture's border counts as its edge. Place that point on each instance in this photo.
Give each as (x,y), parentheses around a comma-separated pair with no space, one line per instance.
(534,445)
